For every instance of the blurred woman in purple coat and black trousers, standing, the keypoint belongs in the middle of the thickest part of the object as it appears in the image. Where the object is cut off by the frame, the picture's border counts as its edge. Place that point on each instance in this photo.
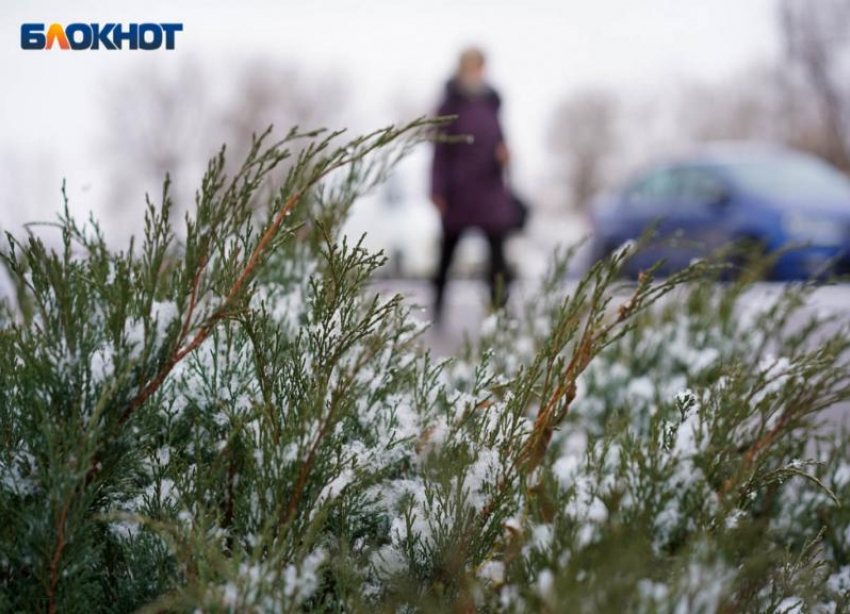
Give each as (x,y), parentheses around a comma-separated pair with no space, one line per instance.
(467,184)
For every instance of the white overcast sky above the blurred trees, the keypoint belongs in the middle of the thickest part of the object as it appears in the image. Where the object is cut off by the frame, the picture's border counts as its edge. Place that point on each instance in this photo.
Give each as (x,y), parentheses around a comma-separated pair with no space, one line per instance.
(387,51)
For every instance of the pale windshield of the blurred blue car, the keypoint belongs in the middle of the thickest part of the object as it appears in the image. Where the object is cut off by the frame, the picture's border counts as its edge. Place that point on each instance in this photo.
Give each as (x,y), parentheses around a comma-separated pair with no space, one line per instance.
(793,178)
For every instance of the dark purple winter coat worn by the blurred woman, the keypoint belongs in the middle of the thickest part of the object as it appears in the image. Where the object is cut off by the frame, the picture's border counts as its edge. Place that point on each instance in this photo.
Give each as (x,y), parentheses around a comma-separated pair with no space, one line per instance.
(467,175)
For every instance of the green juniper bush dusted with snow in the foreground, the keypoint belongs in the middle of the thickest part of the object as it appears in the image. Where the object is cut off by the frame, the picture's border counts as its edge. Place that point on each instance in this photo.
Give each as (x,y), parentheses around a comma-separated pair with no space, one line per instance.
(226,418)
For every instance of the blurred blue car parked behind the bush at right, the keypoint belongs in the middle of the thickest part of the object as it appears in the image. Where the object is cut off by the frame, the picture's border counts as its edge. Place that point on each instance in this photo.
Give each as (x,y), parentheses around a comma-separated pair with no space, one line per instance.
(726,195)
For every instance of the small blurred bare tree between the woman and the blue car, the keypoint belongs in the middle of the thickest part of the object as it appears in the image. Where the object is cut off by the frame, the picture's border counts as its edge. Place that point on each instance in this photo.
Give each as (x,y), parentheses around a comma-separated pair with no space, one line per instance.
(582,138)
